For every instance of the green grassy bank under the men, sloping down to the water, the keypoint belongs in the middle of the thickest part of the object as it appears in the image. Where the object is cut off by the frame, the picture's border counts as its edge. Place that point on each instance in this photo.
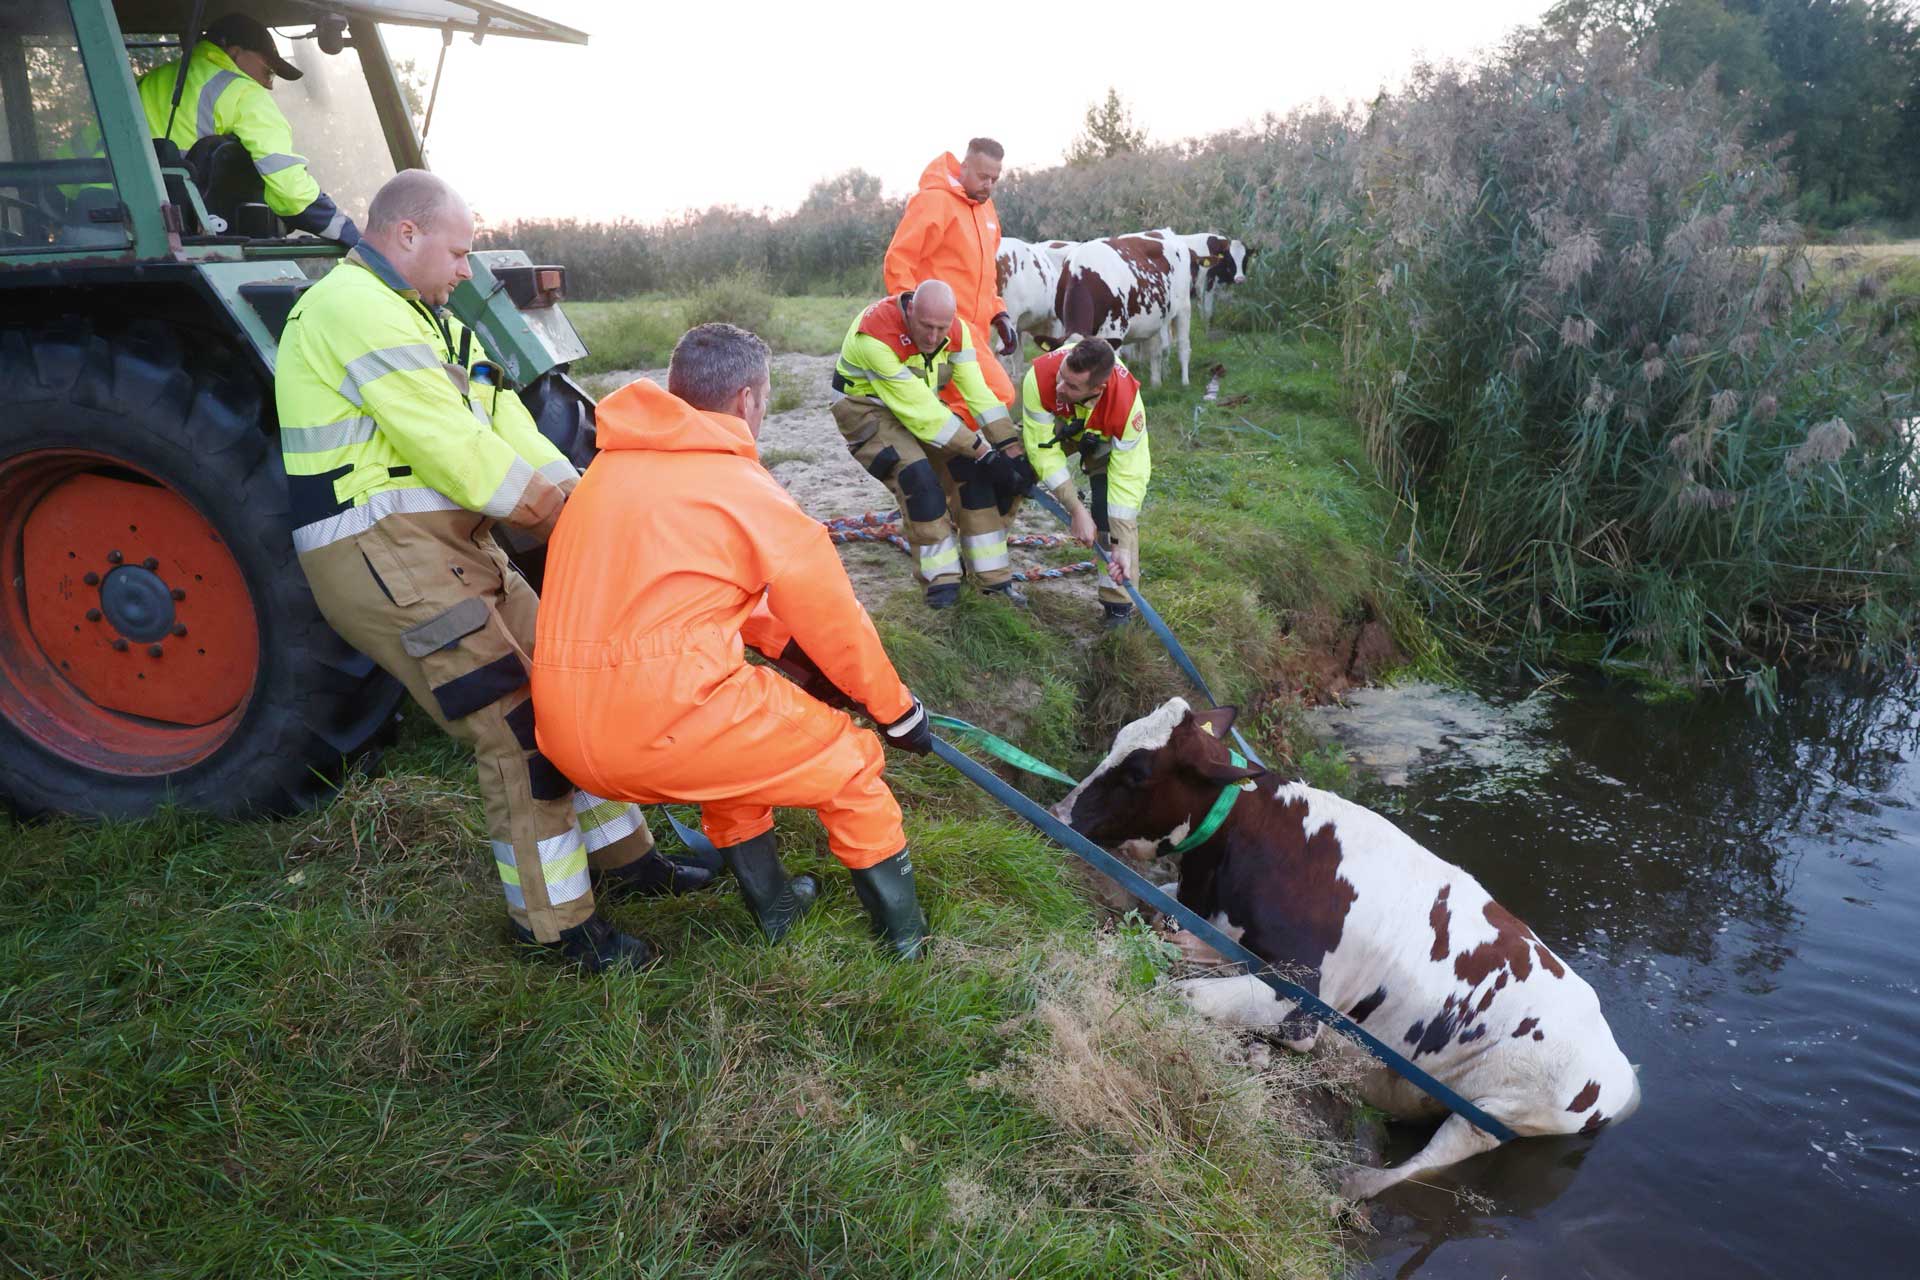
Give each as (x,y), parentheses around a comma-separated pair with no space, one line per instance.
(304,1049)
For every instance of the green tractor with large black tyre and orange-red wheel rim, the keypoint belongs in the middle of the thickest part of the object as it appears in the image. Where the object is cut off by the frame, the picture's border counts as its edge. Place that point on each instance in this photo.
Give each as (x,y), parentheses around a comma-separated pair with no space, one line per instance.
(158,642)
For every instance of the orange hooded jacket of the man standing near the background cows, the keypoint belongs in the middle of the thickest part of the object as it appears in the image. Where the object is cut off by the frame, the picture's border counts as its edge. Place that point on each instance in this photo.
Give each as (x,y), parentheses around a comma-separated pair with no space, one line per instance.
(946,237)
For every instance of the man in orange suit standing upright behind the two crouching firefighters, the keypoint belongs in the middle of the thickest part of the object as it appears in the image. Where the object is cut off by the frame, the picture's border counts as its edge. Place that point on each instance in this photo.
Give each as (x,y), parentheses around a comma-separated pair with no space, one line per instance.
(951,233)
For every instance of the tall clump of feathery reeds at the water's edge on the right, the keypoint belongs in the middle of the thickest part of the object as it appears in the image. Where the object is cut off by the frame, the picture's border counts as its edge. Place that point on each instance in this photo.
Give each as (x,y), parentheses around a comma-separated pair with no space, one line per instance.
(1583,346)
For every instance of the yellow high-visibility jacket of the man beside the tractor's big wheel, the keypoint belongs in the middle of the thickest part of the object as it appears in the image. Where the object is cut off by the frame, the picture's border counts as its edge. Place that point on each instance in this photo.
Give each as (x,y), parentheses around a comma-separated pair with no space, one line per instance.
(381,414)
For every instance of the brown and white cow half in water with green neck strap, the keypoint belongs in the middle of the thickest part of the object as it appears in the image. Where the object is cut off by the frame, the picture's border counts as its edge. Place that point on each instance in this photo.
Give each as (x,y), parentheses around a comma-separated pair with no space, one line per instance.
(1347,905)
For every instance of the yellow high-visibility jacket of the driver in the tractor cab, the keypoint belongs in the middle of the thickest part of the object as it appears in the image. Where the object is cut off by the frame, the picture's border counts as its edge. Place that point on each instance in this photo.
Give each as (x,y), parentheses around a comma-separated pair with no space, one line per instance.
(224,99)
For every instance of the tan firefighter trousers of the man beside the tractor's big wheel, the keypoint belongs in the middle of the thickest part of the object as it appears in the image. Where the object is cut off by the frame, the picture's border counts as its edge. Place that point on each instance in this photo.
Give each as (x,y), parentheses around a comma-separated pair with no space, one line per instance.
(433,600)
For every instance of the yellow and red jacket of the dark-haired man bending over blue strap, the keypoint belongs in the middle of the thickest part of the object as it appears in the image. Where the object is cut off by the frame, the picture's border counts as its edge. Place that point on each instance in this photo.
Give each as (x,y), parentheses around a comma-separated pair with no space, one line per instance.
(1118,414)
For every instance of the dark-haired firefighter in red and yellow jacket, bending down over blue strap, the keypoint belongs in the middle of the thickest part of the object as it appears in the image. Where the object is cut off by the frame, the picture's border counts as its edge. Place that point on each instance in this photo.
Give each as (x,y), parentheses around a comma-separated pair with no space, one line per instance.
(1082,400)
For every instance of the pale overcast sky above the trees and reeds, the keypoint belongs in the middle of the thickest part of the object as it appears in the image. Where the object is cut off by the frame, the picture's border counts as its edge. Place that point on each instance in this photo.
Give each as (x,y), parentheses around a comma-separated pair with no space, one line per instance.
(681,107)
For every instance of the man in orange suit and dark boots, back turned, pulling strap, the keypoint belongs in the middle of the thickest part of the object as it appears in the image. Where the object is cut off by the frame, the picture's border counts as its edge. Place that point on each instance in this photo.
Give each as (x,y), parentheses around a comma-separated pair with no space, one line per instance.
(675,554)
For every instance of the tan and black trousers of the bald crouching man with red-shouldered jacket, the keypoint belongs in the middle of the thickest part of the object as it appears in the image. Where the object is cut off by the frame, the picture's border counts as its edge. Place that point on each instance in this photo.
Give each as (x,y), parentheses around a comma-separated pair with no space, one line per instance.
(928,485)
